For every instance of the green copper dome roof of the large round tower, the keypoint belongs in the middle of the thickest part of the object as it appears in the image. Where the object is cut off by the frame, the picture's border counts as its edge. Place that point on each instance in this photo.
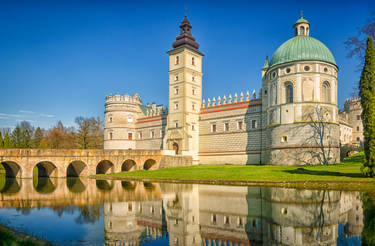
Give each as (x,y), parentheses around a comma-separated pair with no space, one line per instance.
(302,48)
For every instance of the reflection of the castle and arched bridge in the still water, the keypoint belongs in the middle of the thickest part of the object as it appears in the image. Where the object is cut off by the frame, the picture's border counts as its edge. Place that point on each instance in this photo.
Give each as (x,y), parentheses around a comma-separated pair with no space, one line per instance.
(191,214)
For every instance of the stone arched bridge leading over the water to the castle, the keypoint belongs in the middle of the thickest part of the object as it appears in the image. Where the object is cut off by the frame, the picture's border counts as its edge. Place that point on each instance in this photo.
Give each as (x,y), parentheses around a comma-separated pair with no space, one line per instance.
(20,163)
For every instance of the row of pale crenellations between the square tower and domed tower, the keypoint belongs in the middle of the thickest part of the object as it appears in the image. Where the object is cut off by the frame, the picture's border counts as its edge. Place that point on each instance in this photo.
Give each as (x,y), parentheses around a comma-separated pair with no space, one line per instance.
(225,100)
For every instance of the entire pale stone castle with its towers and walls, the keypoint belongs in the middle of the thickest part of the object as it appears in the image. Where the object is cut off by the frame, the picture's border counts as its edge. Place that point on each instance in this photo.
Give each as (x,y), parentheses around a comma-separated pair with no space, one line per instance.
(293,120)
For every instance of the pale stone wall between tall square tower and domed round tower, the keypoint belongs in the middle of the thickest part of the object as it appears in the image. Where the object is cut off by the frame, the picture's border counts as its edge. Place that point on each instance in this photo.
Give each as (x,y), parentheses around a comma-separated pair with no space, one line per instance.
(237,139)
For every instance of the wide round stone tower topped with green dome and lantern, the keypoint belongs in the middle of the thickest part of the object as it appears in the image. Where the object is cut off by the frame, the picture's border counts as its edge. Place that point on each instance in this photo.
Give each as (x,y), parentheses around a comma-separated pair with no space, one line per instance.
(299,97)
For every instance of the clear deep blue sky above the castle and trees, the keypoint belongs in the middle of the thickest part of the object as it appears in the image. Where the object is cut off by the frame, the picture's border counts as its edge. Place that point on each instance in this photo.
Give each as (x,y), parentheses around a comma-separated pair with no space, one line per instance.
(59,59)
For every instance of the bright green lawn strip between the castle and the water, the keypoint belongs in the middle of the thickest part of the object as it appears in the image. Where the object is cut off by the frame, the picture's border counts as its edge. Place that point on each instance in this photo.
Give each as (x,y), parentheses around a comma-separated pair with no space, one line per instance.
(346,171)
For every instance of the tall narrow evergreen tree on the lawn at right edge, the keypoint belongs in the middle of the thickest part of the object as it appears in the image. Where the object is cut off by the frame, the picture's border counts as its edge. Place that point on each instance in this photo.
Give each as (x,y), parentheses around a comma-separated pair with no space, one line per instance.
(367,94)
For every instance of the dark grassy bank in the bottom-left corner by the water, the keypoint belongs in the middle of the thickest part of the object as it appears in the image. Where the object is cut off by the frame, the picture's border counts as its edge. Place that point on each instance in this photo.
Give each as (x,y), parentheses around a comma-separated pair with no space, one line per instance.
(9,237)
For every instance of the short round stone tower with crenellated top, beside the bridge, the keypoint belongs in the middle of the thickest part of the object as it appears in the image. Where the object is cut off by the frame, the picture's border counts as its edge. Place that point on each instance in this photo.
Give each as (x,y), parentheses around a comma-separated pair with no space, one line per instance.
(120,115)
